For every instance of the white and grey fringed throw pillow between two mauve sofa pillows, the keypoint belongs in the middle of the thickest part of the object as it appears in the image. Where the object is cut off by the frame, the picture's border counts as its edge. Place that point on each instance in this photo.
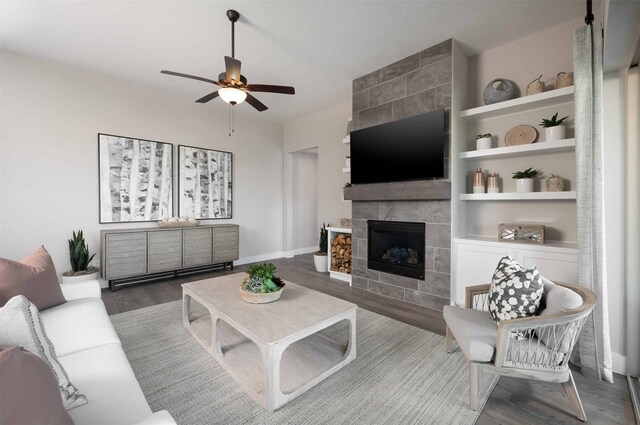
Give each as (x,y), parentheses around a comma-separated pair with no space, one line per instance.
(20,325)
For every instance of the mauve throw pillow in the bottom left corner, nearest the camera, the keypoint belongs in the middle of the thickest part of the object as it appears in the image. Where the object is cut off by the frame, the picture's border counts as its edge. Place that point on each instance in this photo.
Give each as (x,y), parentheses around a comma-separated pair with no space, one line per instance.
(29,391)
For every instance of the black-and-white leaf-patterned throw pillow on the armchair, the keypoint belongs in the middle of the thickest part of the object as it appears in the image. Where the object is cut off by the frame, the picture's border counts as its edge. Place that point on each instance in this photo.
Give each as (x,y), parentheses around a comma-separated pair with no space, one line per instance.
(515,292)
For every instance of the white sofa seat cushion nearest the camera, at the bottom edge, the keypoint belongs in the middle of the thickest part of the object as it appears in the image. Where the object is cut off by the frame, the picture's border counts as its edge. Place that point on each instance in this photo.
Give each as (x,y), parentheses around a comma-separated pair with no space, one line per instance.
(105,375)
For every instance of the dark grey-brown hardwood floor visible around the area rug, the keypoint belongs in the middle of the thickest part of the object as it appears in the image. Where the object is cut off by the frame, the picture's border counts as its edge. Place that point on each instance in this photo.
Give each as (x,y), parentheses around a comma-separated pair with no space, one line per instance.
(513,401)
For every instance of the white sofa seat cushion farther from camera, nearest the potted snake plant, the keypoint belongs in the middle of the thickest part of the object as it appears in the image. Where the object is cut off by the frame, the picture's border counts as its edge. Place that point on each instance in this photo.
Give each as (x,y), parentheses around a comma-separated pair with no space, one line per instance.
(78,325)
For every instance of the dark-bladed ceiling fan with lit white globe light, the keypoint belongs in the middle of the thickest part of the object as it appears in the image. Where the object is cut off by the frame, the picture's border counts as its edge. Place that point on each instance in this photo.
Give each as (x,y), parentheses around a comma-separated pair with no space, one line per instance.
(233,85)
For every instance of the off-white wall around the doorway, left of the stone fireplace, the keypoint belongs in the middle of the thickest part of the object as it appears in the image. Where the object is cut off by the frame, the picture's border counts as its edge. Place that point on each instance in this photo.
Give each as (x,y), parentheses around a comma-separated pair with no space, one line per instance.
(325,130)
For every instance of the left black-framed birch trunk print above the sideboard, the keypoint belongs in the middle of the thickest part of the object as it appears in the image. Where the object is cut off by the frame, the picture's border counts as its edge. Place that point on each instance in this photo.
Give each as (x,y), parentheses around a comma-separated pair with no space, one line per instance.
(136,179)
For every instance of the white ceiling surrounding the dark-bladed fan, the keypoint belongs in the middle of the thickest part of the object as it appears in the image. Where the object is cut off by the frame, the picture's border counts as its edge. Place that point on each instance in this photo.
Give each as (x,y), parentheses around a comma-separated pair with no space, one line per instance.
(317,46)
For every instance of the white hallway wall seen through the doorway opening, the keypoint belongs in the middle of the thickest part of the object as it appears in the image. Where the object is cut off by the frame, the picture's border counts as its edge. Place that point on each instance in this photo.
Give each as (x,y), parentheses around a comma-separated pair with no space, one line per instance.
(305,201)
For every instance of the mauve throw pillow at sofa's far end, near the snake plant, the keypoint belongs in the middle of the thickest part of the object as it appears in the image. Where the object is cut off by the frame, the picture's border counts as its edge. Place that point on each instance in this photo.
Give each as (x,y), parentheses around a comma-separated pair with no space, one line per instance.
(34,277)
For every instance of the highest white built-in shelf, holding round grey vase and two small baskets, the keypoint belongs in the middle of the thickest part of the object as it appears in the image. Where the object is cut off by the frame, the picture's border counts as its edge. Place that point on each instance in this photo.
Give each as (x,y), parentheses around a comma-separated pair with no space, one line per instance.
(525,103)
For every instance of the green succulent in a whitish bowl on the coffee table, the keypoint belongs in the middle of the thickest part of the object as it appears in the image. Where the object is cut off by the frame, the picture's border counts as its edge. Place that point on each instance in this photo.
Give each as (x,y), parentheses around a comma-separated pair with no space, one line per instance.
(261,286)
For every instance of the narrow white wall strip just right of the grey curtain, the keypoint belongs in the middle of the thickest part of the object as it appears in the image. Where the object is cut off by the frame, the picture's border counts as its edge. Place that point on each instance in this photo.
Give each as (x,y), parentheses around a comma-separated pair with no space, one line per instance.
(615,104)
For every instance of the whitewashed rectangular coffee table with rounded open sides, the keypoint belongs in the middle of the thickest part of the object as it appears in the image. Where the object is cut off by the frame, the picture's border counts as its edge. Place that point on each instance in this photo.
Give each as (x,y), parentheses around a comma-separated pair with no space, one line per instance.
(272,350)
